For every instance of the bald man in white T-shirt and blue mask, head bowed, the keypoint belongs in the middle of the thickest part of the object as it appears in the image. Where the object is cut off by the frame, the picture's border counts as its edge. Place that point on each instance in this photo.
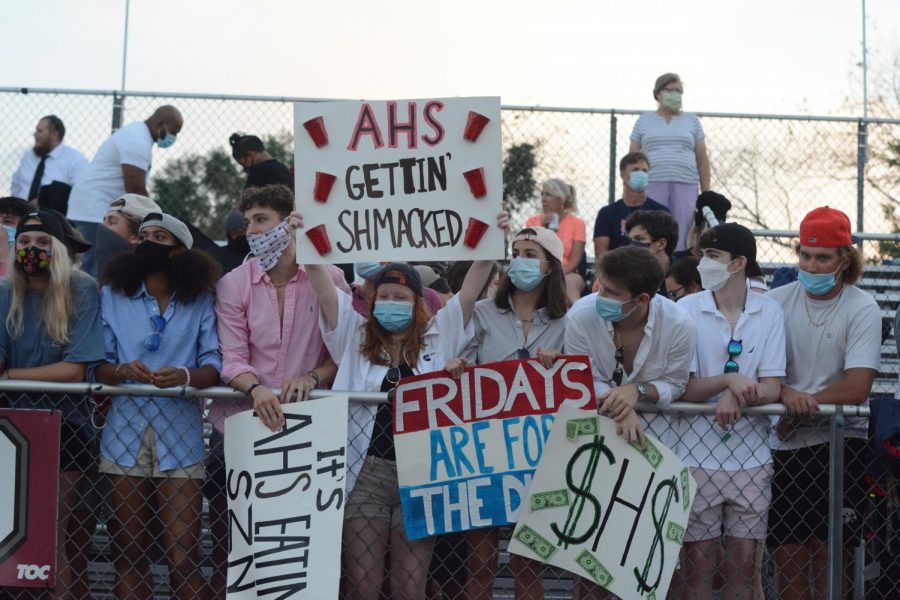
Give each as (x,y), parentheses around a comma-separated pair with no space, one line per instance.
(119,167)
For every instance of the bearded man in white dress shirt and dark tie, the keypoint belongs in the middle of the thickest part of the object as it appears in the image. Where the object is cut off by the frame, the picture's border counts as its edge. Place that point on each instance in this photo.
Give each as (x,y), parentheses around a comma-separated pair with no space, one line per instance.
(48,161)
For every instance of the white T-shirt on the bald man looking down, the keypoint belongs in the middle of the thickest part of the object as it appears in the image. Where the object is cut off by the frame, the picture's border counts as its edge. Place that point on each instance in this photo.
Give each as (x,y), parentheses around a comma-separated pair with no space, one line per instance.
(102,181)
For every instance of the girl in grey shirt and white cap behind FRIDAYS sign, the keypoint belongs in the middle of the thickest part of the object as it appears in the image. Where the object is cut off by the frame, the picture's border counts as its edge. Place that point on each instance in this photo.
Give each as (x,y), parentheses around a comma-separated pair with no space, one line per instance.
(525,319)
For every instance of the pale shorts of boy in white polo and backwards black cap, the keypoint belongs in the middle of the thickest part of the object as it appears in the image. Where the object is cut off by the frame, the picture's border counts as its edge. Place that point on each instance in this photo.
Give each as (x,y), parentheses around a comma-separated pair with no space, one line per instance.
(730,503)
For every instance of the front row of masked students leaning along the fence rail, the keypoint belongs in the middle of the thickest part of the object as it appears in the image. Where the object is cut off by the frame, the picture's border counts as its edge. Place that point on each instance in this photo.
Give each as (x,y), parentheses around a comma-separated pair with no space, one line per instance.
(164,317)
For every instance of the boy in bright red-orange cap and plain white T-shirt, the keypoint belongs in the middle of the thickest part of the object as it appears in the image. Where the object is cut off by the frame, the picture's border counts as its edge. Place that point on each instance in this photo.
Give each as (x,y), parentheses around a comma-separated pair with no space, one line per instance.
(833,333)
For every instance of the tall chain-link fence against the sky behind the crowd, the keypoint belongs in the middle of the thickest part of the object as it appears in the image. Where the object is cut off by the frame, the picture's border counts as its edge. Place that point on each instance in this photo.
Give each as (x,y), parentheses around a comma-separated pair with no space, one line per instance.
(774,168)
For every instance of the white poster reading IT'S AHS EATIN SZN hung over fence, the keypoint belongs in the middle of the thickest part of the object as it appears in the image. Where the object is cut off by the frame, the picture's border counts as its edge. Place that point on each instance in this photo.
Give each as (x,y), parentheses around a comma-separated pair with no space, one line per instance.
(286,501)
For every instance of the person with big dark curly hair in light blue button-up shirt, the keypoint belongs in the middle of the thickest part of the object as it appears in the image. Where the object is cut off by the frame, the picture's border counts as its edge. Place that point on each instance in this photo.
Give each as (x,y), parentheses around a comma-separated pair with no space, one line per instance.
(159,328)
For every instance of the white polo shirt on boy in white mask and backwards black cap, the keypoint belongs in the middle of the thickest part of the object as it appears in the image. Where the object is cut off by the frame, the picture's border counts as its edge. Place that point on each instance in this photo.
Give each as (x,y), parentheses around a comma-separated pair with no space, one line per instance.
(760,329)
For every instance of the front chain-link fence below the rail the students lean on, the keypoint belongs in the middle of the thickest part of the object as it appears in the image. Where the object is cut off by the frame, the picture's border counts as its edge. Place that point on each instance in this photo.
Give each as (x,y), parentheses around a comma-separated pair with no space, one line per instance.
(142,535)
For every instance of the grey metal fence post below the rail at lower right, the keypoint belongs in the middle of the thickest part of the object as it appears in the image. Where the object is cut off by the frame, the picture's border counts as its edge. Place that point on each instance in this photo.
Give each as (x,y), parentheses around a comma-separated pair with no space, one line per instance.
(836,506)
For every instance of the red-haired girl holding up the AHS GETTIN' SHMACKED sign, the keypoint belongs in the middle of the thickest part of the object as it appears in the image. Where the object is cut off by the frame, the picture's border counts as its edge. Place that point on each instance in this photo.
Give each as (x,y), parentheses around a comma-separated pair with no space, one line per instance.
(400,340)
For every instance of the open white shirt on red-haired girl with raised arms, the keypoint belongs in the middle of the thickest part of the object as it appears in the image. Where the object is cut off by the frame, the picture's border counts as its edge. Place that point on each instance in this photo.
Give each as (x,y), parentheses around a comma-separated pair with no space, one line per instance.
(445,338)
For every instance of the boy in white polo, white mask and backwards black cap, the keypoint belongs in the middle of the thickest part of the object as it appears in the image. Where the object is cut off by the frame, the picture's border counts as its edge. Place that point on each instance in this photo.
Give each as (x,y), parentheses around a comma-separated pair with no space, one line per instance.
(738,361)
